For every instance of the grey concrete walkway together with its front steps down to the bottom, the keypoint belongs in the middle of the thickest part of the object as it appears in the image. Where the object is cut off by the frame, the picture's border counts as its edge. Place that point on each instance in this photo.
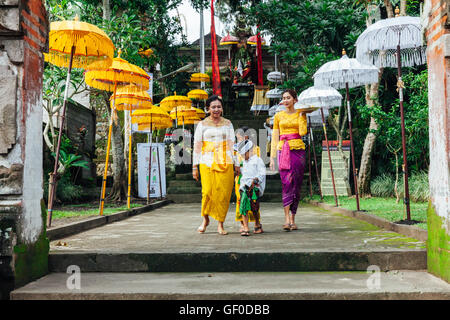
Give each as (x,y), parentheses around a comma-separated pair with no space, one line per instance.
(160,255)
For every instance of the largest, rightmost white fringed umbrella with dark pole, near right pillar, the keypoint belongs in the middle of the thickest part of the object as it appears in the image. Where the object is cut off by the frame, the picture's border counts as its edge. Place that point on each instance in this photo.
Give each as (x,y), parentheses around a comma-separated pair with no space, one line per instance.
(394,42)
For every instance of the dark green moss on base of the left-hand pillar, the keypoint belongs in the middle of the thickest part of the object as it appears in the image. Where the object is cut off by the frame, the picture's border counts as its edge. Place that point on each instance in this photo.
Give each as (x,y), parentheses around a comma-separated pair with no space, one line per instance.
(31,260)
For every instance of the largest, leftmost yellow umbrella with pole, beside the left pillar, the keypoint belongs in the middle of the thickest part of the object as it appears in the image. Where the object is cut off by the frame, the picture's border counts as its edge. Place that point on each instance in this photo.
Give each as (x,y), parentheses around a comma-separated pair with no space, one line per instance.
(74,44)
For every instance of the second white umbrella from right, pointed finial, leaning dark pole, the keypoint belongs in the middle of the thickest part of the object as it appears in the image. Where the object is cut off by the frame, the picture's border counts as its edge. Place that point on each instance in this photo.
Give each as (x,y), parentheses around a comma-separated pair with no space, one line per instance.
(347,73)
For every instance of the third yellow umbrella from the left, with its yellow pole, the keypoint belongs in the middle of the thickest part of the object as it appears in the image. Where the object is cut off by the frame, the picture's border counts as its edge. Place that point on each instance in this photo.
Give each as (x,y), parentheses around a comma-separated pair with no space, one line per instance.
(129,98)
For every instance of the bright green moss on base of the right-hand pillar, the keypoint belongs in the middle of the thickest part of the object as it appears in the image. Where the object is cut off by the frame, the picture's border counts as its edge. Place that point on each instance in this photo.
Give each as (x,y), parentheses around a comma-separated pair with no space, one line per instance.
(438,245)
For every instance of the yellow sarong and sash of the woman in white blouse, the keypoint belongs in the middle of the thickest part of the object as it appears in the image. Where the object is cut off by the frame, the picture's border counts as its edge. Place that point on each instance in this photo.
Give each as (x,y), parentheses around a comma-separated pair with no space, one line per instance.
(217,182)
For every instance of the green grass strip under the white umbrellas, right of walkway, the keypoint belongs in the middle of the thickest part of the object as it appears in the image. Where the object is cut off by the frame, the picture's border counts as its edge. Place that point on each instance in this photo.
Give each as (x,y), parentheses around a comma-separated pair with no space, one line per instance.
(386,208)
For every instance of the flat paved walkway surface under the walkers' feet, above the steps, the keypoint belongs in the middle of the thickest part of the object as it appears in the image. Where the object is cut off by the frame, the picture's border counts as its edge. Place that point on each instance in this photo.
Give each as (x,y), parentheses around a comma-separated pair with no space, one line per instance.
(173,229)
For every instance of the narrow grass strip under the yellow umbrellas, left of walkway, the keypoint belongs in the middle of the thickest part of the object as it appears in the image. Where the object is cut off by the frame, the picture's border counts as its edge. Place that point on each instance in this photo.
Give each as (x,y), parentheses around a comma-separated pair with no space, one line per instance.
(79,210)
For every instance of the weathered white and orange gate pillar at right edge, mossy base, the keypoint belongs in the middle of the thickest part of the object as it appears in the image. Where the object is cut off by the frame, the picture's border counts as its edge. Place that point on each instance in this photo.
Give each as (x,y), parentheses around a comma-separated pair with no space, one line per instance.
(437,32)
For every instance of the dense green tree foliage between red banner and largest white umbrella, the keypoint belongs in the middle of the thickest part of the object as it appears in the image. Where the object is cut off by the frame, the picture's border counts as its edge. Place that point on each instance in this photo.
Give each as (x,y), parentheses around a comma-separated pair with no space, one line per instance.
(330,26)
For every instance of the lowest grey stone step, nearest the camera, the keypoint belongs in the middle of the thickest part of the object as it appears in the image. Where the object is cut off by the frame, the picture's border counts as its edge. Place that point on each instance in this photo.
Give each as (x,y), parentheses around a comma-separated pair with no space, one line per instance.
(393,285)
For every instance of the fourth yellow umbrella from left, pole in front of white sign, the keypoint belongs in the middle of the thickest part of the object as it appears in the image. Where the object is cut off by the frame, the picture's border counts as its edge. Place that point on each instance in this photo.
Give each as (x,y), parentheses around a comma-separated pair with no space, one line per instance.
(150,117)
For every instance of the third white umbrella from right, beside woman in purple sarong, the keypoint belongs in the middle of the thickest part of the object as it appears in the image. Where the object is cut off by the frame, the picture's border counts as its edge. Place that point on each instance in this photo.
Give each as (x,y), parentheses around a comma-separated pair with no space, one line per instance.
(323,97)
